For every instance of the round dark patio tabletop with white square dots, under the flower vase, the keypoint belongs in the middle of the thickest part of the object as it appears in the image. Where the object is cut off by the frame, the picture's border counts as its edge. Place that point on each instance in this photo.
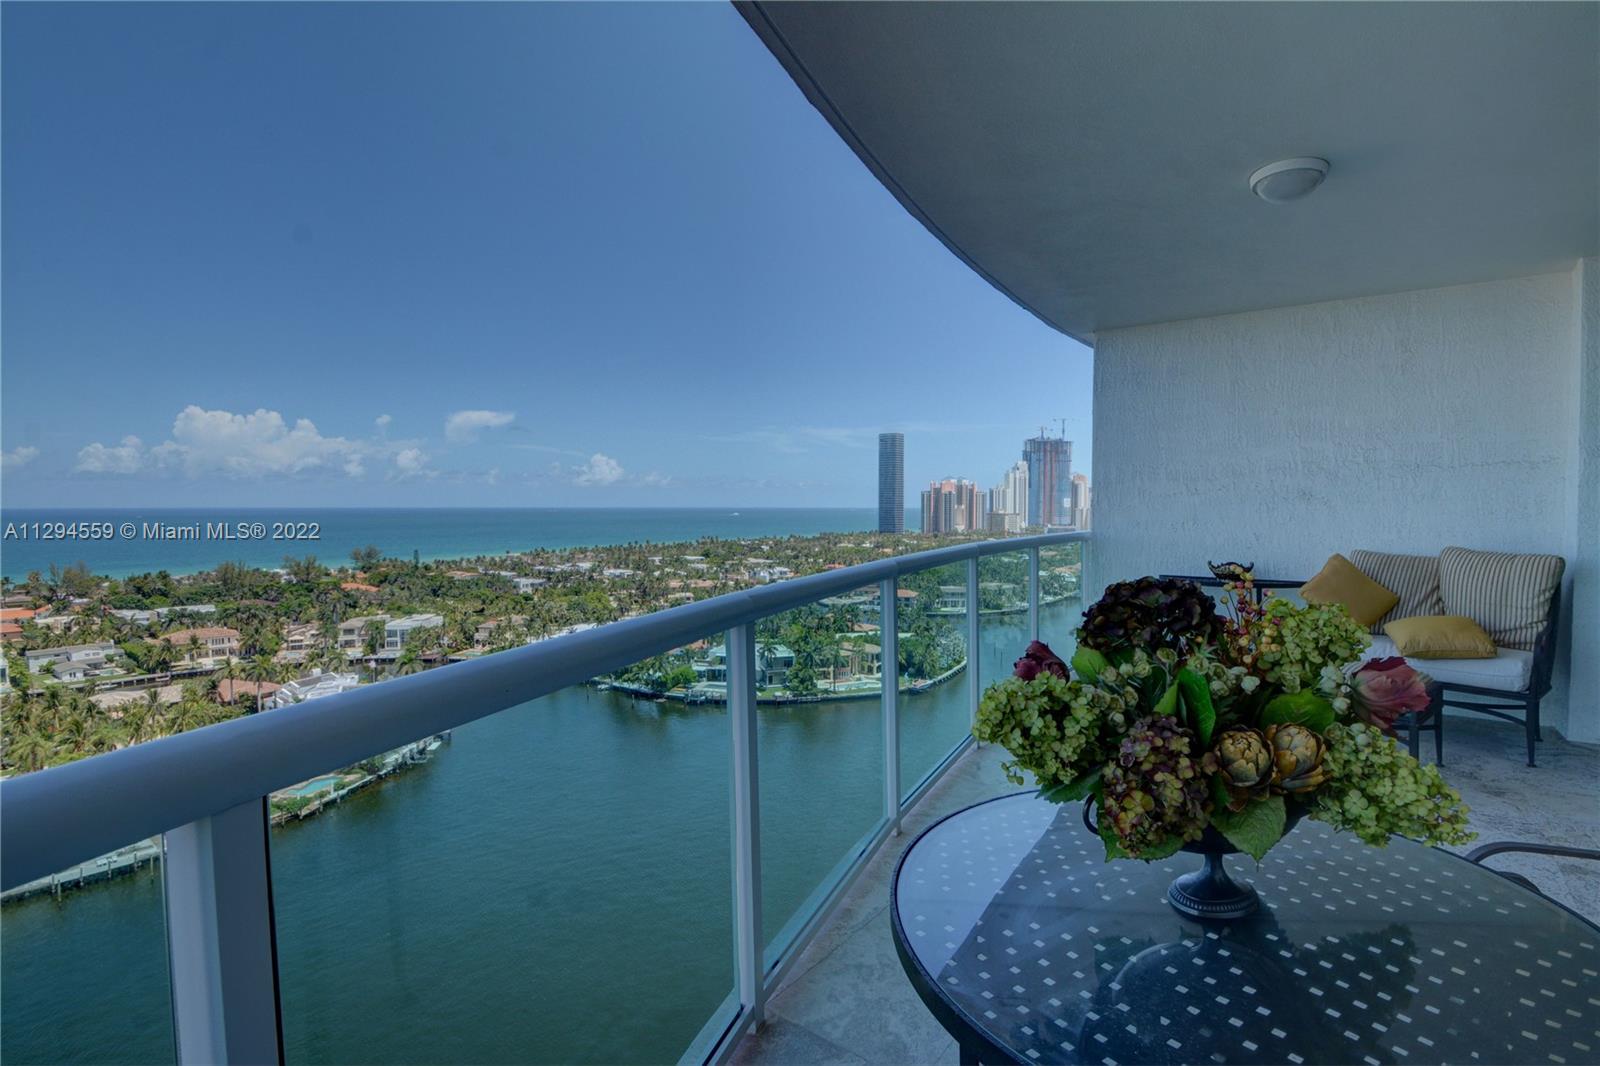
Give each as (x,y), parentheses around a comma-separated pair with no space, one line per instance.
(1030,948)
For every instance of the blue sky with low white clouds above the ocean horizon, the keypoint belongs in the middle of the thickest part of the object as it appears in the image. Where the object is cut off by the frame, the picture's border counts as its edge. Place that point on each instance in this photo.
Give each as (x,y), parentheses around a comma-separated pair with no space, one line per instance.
(510,255)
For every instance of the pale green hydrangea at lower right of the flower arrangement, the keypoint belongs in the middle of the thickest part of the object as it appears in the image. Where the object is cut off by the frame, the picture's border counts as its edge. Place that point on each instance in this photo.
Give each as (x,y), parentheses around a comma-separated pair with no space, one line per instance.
(1377,790)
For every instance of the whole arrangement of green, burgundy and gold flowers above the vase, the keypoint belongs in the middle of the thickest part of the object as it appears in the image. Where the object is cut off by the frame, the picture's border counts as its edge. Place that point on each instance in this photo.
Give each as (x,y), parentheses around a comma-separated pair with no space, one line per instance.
(1177,718)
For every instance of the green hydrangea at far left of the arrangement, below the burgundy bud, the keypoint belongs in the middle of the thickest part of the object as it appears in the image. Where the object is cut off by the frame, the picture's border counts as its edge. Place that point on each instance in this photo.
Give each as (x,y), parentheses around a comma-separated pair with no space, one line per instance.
(1050,727)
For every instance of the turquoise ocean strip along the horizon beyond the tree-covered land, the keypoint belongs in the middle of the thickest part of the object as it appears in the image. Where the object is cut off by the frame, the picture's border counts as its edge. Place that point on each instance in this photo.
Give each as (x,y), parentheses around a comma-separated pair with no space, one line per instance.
(399,532)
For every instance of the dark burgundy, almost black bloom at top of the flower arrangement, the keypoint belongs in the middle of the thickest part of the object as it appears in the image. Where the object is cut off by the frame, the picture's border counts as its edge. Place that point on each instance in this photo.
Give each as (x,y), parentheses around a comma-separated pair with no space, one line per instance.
(1151,614)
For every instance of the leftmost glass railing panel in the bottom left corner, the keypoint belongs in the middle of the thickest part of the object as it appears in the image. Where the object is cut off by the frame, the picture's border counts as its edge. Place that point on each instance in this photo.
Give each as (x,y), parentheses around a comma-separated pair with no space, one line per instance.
(84,964)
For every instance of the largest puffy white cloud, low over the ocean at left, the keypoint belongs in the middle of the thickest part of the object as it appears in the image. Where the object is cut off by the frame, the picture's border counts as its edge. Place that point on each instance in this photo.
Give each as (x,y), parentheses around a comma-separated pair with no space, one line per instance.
(236,446)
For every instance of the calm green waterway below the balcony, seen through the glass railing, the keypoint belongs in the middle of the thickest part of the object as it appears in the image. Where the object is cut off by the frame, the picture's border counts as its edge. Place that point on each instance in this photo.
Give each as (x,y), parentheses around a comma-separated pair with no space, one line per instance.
(551,888)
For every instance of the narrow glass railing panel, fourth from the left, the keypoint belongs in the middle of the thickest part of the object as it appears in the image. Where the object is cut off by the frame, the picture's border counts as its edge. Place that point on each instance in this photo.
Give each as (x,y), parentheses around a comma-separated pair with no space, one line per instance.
(935,708)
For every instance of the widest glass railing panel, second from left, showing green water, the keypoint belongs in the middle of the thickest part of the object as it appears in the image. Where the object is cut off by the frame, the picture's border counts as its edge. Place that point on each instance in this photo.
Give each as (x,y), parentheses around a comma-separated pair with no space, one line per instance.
(550,884)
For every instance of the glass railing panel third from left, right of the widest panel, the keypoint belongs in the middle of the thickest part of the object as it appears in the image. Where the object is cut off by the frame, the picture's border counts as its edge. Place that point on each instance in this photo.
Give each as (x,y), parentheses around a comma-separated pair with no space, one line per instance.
(820,742)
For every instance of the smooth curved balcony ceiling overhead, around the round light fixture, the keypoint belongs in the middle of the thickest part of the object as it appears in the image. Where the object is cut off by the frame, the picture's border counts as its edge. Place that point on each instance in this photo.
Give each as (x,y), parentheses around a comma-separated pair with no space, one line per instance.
(1092,161)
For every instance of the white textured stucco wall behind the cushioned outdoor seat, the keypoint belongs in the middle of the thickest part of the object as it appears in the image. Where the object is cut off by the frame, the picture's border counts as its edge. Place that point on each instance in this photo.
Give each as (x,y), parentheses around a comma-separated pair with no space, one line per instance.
(1398,423)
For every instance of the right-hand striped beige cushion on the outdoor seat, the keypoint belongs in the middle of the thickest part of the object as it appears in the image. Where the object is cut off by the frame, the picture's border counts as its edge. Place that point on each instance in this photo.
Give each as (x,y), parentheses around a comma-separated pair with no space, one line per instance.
(1505,593)
